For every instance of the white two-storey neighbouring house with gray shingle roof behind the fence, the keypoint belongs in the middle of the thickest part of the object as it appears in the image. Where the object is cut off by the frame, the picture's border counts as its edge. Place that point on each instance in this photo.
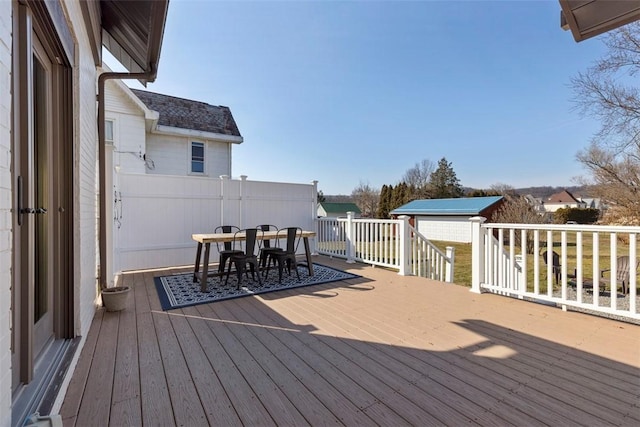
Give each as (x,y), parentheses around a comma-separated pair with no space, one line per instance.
(160,134)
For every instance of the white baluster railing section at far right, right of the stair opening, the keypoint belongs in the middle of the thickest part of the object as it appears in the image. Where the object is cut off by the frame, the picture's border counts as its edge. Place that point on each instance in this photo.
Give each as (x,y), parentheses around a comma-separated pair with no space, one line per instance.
(518,260)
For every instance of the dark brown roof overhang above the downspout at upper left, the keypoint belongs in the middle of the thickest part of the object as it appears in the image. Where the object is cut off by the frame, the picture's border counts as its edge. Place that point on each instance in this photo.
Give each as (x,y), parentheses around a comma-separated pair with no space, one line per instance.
(132,31)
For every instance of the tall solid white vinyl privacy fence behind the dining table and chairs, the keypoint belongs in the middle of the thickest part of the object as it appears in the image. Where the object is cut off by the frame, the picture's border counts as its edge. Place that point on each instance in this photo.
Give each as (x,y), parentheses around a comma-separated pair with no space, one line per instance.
(154,216)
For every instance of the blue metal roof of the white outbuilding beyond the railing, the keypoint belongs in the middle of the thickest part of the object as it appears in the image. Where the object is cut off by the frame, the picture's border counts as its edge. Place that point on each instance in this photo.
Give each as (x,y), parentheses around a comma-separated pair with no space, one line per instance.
(457,206)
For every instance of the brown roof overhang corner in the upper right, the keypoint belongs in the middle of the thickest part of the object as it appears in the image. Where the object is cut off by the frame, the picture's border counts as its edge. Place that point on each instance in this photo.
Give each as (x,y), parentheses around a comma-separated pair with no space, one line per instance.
(589,18)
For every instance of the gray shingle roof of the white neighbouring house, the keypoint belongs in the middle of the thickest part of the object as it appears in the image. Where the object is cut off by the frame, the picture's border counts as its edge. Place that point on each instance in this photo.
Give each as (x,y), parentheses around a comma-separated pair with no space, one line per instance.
(188,114)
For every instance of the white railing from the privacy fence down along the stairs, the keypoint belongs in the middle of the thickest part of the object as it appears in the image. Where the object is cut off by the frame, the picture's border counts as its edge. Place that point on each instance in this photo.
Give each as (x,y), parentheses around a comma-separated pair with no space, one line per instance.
(391,243)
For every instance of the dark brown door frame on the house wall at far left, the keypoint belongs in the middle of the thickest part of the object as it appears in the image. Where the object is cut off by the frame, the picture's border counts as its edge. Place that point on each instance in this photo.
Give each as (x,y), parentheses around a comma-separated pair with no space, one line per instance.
(31,20)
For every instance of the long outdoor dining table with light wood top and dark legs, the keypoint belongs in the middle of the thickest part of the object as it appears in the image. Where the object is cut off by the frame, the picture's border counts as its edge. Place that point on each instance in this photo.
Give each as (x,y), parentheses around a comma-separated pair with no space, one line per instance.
(207,239)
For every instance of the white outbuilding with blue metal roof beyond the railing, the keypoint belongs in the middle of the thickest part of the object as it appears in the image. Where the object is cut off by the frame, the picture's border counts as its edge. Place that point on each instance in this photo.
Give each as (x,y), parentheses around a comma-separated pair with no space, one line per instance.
(448,219)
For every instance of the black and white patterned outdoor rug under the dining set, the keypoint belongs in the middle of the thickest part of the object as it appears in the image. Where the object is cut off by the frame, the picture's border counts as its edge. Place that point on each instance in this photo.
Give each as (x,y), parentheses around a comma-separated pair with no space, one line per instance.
(179,290)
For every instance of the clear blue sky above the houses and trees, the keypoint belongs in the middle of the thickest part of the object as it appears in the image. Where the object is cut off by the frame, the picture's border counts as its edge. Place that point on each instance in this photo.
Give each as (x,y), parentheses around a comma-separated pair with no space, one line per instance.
(360,91)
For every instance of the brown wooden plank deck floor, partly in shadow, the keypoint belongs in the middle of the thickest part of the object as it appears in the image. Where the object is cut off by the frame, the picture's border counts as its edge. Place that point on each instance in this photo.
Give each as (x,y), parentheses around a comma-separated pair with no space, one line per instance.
(379,350)
